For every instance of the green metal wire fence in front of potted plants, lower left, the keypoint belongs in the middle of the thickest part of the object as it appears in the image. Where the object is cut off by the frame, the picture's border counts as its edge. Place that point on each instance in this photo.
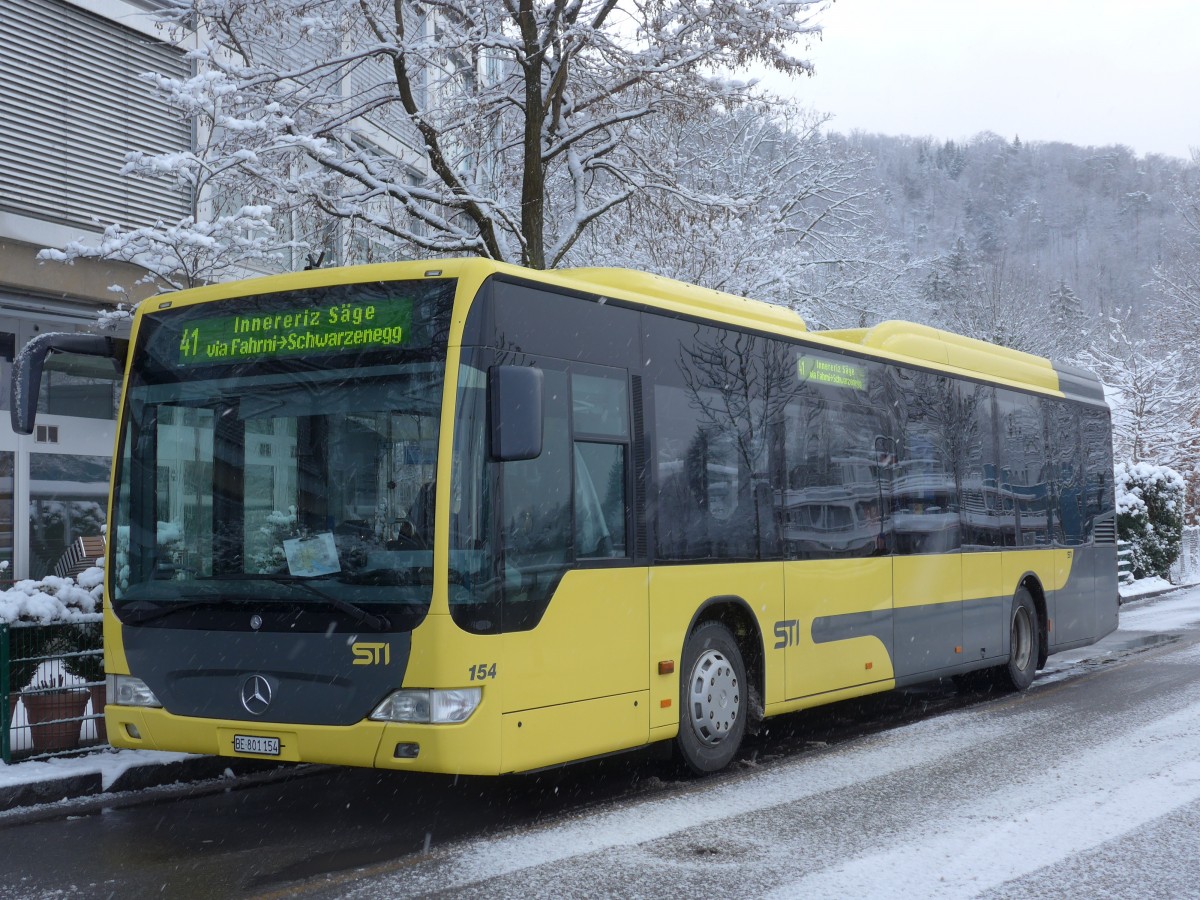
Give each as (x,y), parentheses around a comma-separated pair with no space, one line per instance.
(52,689)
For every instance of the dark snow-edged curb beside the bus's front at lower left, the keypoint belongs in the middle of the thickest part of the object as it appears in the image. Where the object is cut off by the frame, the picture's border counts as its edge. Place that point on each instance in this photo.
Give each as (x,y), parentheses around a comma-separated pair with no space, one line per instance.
(136,778)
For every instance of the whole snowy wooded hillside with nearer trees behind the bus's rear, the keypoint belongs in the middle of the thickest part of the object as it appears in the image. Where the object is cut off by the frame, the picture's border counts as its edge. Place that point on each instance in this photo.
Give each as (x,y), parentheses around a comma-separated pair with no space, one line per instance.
(1088,255)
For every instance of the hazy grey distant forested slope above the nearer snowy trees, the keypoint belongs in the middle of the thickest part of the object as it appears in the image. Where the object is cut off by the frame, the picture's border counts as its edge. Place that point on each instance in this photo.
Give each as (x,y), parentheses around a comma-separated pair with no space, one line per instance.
(1016,237)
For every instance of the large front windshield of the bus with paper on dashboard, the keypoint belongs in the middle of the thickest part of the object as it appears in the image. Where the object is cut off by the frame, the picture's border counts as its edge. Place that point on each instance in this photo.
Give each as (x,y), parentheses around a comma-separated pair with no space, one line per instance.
(291,491)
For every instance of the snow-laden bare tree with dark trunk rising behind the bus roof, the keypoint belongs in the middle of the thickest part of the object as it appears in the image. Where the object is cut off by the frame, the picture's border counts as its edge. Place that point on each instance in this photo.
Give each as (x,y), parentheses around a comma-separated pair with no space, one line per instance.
(506,129)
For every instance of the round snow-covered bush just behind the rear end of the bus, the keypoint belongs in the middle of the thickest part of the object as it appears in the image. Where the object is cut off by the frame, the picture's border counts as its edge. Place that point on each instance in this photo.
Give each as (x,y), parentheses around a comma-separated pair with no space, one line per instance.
(1150,515)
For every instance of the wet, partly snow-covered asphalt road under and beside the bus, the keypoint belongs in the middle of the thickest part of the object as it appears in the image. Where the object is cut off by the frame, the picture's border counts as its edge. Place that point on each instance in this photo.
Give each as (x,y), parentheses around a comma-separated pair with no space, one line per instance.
(885,796)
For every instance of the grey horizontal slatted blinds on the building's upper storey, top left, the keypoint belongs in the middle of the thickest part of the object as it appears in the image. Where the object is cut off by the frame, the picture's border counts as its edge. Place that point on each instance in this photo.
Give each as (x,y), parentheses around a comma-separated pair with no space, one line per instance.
(74,106)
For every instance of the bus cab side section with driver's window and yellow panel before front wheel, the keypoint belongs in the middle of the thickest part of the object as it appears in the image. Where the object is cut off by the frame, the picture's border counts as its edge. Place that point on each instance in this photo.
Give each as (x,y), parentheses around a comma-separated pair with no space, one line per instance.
(575,610)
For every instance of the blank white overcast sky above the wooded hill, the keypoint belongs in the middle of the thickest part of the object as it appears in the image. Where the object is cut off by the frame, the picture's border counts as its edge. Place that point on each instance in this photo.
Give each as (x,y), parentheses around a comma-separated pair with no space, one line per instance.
(1089,73)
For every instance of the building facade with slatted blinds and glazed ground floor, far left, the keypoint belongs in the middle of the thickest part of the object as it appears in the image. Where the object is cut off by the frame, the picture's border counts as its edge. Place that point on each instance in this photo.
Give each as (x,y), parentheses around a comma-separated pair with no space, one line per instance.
(71,109)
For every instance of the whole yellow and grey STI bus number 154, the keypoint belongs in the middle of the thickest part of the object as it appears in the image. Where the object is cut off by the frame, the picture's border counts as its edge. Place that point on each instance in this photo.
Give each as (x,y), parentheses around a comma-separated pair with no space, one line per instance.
(459,517)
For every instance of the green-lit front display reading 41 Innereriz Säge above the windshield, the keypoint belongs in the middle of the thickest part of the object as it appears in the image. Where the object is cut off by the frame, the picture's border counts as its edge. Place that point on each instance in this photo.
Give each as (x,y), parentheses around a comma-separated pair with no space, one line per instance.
(341,328)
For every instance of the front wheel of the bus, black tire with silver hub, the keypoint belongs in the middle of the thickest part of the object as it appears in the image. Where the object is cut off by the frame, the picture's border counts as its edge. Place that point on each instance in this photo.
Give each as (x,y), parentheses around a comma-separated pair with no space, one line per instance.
(713,700)
